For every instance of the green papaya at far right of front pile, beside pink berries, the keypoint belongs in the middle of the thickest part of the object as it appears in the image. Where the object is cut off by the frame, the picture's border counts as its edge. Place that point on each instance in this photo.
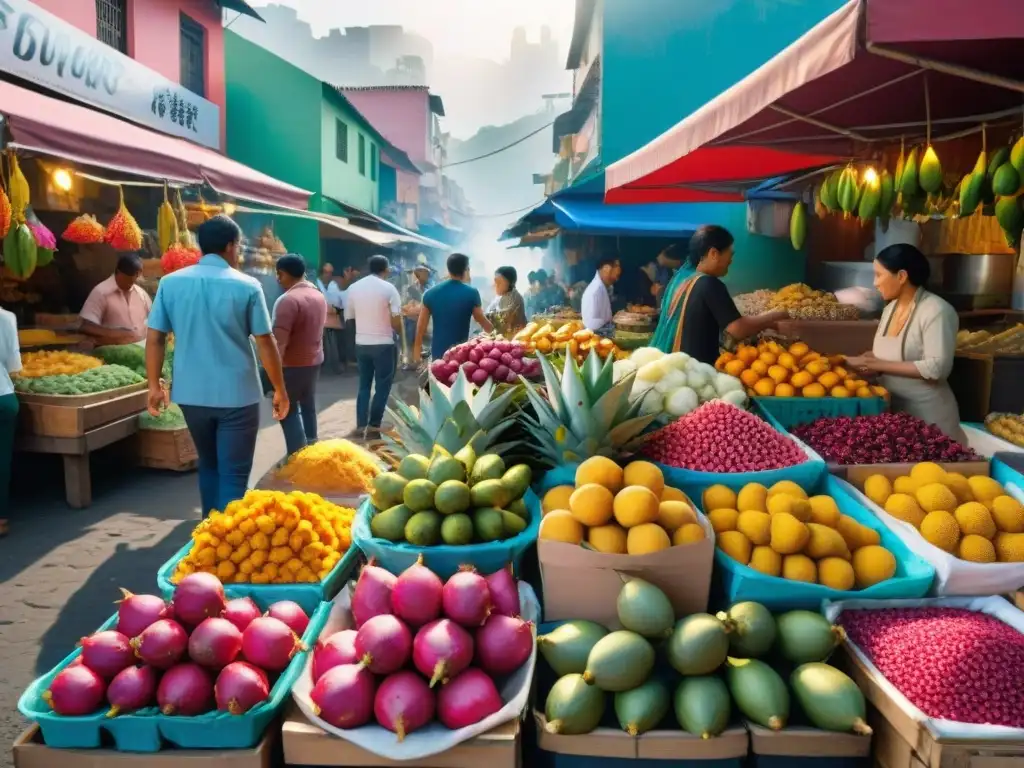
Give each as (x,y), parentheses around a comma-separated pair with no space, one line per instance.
(833,702)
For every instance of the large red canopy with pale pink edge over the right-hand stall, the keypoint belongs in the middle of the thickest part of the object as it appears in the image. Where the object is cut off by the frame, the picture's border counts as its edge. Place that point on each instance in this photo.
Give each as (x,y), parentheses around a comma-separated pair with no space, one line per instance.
(871,74)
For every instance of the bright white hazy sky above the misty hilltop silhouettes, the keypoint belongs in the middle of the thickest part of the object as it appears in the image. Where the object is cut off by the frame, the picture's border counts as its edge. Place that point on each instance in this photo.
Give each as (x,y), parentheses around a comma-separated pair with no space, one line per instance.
(457,28)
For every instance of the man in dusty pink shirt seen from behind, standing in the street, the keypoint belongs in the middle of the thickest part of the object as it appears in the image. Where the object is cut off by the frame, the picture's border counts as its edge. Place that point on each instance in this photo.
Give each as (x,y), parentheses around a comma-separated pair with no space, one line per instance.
(300,316)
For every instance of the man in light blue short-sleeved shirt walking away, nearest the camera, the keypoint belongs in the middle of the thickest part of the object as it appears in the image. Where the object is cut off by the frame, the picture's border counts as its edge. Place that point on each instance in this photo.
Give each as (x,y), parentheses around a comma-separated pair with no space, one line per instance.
(214,310)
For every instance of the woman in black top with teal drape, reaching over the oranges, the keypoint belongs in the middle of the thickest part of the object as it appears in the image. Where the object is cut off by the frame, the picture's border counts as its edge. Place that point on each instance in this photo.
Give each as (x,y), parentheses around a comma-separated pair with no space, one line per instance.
(698,310)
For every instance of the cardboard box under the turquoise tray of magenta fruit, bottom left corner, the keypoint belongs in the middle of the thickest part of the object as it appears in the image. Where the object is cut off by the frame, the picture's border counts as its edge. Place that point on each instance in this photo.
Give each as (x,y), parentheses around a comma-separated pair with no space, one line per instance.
(30,752)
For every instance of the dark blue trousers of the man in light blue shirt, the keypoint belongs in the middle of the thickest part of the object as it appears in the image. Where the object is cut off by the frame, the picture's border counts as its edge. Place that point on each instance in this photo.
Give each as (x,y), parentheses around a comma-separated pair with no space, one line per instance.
(226,443)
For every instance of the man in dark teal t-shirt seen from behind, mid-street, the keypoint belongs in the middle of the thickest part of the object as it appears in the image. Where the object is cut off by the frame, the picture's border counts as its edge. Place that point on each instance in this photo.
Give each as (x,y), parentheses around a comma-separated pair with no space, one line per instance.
(453,305)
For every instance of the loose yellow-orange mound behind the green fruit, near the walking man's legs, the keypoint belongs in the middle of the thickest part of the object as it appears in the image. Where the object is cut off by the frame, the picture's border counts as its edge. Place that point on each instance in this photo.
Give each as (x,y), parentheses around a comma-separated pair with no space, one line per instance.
(331,467)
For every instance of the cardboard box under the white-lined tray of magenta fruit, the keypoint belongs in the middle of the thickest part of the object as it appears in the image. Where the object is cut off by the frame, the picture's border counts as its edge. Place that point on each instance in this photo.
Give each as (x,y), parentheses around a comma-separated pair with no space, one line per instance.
(307,744)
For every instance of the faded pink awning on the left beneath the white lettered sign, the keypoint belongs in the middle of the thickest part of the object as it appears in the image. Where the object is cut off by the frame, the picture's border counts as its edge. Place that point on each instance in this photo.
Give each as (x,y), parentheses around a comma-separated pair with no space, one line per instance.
(48,125)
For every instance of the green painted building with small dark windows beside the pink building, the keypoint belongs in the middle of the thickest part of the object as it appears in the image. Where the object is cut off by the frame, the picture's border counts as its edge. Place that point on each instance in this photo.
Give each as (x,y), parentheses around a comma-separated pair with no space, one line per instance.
(290,125)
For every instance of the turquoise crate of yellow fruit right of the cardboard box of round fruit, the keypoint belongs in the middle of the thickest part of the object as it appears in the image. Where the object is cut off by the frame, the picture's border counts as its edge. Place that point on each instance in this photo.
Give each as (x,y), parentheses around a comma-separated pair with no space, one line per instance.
(913,579)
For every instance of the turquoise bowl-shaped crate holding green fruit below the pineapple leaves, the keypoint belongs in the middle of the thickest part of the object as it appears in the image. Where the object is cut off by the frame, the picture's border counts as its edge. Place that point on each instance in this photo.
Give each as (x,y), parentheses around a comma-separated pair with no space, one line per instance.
(446,560)
